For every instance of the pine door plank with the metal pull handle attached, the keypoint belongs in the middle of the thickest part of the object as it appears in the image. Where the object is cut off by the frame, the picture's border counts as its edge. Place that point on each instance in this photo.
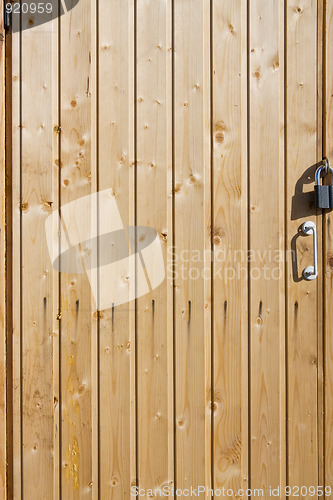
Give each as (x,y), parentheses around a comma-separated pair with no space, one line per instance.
(303,296)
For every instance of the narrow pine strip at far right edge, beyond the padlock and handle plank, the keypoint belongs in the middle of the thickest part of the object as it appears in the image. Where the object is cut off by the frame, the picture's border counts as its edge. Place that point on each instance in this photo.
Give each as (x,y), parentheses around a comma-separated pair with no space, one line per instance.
(328,247)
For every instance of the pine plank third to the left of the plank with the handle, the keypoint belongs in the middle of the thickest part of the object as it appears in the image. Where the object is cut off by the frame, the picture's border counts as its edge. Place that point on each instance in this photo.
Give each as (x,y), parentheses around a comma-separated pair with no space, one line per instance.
(192,242)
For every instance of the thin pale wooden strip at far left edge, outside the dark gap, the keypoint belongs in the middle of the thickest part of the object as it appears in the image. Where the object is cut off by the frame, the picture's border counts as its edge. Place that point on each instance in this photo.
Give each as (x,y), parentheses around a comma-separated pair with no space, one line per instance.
(3,253)
